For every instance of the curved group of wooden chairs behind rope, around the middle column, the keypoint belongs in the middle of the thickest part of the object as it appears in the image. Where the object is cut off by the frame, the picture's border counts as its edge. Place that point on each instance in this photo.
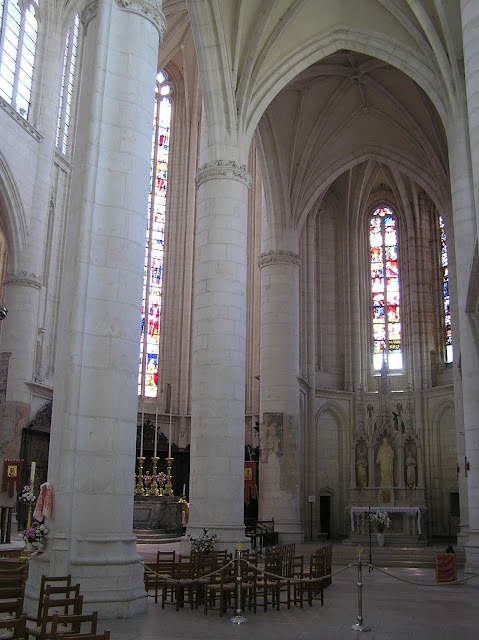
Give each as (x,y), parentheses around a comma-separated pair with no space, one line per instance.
(209,580)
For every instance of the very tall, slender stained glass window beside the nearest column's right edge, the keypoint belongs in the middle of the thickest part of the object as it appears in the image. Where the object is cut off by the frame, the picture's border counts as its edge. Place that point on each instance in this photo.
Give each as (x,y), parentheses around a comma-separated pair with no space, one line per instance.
(153,272)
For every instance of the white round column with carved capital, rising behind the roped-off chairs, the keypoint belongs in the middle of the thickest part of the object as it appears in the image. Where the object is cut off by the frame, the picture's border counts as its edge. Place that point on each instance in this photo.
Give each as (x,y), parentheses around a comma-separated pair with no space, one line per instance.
(219,354)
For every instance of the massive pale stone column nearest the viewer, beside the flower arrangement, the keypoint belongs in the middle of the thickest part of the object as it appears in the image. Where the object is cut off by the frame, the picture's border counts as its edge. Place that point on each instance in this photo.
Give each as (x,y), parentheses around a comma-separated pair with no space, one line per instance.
(92,448)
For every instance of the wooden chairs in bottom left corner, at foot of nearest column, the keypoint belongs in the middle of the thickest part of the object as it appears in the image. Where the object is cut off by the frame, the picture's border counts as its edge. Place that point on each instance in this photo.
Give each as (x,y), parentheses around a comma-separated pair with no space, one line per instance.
(59,615)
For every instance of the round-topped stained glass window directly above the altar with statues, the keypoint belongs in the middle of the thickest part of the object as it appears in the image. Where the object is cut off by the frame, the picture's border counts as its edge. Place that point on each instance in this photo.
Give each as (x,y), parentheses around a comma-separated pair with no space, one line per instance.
(385,290)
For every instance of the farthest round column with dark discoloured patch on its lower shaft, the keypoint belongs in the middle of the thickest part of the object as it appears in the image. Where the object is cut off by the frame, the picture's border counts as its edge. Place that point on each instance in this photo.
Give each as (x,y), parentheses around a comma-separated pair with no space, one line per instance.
(280,462)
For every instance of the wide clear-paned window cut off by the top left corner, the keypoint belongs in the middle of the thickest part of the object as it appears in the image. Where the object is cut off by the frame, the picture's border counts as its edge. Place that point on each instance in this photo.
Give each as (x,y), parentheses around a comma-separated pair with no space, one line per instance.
(18,41)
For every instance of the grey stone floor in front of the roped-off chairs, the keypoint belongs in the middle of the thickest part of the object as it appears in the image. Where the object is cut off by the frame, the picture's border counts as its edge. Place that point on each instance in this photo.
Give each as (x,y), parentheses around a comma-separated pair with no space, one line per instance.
(393,609)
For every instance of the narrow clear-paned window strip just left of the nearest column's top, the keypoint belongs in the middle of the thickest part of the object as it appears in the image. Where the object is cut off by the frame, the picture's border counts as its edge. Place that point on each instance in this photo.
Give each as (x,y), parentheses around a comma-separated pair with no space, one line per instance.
(66,91)
